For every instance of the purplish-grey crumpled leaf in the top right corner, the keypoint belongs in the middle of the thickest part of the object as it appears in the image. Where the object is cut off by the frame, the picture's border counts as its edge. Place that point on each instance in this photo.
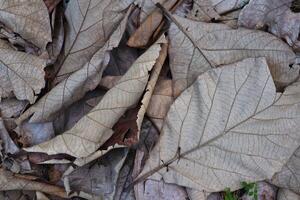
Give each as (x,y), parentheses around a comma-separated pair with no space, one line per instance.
(276,15)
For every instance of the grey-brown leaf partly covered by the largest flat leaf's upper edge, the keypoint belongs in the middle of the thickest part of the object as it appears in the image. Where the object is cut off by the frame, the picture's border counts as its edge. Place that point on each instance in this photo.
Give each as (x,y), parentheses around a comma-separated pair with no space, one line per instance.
(204,46)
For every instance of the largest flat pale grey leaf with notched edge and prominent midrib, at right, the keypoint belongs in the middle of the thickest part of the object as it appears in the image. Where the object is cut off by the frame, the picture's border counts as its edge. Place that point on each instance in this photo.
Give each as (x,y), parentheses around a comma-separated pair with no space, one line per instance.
(229,126)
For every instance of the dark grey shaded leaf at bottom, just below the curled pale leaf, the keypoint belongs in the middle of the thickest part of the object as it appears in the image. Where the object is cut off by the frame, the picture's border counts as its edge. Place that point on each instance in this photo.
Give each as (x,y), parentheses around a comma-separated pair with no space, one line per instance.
(99,178)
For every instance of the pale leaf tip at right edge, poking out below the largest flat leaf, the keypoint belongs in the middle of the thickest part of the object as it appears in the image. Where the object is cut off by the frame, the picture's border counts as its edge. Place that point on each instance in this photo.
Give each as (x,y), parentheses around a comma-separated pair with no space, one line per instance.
(289,176)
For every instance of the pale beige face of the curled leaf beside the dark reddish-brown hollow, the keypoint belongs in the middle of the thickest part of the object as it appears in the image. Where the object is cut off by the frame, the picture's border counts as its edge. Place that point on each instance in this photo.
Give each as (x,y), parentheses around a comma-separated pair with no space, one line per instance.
(90,132)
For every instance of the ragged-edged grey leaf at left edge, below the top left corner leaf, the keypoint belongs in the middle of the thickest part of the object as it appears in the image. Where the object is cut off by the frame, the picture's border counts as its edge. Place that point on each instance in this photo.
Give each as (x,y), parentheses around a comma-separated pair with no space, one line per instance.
(20,73)
